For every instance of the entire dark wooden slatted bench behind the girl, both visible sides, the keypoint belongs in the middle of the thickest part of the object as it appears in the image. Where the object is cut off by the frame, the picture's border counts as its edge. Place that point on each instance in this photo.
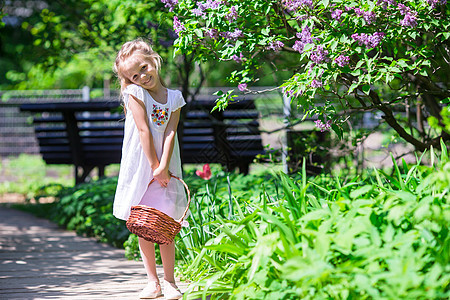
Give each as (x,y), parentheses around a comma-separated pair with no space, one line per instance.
(89,135)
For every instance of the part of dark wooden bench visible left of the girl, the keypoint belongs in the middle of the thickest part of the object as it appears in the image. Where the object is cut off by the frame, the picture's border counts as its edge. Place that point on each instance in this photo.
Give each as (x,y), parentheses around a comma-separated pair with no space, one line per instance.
(87,135)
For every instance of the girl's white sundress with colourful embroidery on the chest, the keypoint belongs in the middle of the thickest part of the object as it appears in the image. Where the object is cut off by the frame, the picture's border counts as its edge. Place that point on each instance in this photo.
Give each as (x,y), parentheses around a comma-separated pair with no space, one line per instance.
(135,171)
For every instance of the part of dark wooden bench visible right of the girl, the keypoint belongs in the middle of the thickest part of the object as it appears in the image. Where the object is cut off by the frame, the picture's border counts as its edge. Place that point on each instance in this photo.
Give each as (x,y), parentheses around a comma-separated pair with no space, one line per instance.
(231,137)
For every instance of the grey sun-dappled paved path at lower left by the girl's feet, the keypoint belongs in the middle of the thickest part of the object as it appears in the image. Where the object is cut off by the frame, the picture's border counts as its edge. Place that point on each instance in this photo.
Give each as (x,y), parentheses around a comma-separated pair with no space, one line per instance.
(38,260)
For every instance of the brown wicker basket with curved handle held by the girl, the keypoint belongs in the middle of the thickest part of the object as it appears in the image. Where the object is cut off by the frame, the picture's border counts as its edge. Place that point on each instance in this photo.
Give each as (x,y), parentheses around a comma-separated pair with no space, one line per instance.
(154,225)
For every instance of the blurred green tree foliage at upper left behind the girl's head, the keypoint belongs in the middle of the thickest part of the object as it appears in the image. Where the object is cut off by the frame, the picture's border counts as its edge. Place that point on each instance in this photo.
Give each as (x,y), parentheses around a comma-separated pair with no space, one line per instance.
(71,49)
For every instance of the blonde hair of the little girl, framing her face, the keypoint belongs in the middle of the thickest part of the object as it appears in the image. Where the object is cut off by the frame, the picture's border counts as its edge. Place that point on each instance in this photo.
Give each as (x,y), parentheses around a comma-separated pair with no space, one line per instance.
(135,47)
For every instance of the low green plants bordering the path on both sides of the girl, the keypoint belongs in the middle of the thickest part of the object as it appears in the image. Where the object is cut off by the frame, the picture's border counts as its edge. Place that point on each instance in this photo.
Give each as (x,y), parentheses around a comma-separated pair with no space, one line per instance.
(383,235)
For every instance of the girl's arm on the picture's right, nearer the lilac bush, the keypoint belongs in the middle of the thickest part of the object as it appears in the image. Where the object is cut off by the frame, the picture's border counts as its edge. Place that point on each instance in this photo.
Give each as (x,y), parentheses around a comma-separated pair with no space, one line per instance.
(162,172)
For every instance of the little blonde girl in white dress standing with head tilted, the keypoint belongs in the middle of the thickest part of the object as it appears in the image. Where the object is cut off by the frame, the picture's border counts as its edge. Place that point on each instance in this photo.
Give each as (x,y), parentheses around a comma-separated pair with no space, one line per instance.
(150,150)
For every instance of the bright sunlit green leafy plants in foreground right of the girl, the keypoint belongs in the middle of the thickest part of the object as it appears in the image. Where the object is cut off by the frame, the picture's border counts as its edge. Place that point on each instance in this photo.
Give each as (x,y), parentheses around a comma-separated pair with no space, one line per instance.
(384,236)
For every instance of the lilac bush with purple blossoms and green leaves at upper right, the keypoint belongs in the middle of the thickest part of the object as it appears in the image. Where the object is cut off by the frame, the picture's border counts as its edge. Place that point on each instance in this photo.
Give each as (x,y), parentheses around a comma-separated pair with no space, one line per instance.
(351,56)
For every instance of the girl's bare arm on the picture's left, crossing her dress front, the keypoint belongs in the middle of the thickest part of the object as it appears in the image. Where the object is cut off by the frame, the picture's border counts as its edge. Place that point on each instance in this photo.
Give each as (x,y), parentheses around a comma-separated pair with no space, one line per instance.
(139,112)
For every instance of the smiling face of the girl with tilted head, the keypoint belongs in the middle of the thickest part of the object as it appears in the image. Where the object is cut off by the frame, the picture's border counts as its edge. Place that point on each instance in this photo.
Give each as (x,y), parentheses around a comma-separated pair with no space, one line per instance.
(142,72)
